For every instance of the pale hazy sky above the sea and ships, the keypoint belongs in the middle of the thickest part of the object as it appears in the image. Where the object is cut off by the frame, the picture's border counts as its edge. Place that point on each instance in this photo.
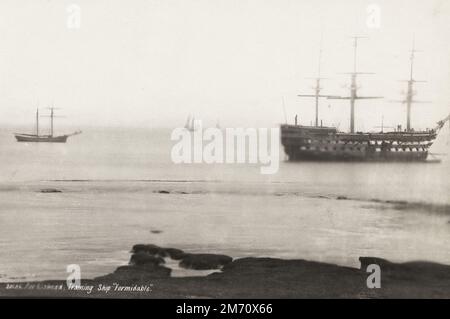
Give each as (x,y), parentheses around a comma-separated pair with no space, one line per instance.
(152,62)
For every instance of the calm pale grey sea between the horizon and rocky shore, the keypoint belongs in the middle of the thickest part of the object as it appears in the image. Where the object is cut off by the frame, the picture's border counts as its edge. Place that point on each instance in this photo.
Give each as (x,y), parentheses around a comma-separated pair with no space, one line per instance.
(111,182)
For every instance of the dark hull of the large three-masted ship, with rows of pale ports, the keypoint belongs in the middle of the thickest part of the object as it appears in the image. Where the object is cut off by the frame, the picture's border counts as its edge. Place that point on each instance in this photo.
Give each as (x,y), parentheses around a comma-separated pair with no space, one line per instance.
(304,143)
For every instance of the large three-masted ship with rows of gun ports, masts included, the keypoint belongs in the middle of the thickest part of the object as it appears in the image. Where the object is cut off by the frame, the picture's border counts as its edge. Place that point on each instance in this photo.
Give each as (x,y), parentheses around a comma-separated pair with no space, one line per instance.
(322,143)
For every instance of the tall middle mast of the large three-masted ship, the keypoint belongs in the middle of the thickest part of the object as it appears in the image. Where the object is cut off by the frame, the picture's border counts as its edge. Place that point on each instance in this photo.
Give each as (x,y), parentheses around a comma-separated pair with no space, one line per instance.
(354,88)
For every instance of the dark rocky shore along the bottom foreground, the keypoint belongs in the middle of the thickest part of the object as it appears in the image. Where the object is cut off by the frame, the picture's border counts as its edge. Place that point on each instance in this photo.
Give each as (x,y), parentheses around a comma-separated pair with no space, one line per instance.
(148,276)
